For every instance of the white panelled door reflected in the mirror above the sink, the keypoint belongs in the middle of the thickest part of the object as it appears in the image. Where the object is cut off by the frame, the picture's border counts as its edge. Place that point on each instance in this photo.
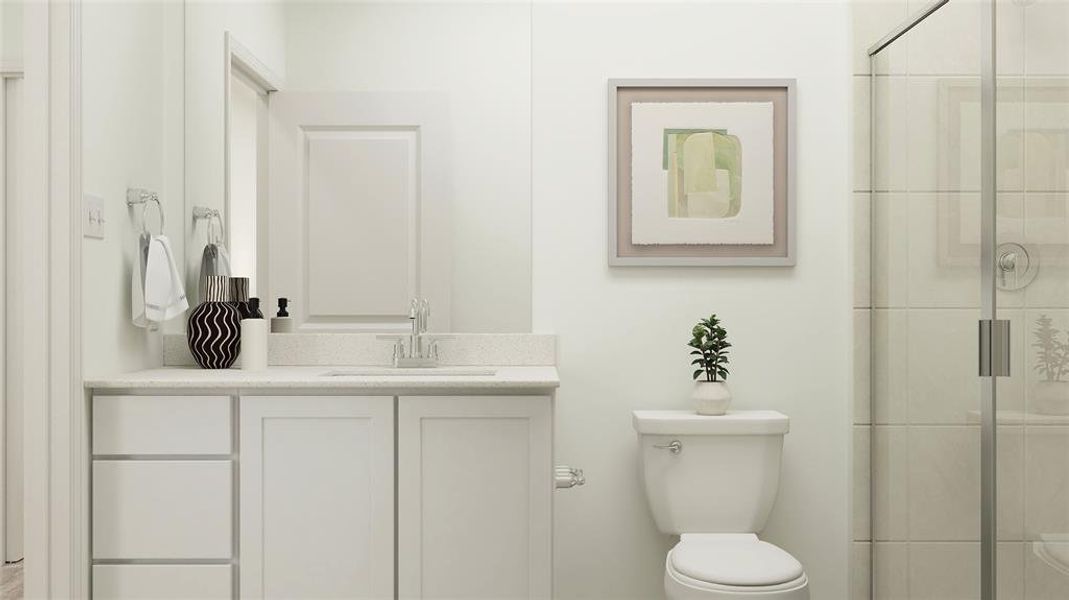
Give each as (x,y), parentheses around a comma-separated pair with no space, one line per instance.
(360,209)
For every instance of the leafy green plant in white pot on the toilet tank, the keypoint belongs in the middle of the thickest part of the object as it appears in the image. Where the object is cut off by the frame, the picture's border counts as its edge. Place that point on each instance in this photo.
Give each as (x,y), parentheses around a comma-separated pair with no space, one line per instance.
(709,344)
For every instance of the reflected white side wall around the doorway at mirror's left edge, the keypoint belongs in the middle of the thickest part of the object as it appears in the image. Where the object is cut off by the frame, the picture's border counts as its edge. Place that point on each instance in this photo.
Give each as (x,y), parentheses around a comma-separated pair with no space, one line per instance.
(261,28)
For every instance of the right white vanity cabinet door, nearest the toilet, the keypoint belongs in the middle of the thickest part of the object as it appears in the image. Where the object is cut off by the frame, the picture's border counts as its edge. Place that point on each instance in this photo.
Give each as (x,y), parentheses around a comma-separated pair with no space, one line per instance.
(475,485)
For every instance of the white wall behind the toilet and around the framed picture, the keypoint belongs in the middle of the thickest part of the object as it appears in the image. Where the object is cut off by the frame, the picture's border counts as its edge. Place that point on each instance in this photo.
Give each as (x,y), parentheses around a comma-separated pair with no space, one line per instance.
(623,331)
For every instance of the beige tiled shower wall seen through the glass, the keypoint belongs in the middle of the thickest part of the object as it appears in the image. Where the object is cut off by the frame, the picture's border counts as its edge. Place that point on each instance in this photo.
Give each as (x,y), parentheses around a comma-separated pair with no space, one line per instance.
(916,310)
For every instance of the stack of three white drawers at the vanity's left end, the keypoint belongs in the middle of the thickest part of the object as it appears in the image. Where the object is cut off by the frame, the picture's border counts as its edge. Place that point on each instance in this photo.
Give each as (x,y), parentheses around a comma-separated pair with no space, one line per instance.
(162,497)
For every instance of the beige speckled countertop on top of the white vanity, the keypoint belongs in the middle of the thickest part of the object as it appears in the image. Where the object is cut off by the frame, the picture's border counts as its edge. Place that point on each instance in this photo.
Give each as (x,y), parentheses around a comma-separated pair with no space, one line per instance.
(363,379)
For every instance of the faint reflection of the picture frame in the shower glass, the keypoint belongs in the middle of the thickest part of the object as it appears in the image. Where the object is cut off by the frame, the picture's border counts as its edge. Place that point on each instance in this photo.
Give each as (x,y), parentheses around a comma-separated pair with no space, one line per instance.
(1031,210)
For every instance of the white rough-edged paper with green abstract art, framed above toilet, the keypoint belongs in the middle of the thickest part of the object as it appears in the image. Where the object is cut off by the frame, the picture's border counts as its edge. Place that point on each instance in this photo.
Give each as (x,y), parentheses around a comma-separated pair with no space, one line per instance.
(688,161)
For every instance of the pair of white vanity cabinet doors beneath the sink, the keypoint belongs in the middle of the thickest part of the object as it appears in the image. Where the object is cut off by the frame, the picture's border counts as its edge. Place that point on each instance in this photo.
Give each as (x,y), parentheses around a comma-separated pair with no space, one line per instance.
(474,497)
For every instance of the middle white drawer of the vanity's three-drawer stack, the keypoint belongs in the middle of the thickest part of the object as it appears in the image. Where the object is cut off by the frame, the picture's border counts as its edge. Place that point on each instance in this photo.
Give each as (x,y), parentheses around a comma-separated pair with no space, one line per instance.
(162,510)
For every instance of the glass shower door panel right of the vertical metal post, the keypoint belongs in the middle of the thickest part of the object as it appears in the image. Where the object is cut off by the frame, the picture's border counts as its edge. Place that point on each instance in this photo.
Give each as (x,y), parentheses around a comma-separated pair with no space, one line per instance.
(1032,273)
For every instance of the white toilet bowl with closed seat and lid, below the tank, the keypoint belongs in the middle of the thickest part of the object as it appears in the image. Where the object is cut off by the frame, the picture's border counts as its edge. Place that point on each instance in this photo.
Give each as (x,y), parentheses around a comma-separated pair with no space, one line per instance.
(731,566)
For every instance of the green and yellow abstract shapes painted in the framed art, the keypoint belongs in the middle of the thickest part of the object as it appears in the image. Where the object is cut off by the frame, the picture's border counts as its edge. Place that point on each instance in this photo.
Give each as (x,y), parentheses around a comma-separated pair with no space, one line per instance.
(704,170)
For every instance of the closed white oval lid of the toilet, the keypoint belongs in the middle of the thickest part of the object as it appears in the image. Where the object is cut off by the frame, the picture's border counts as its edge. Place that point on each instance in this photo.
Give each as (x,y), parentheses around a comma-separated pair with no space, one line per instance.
(735,562)
